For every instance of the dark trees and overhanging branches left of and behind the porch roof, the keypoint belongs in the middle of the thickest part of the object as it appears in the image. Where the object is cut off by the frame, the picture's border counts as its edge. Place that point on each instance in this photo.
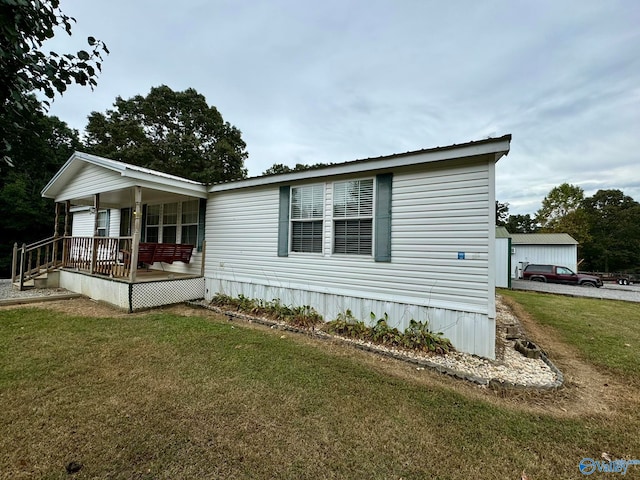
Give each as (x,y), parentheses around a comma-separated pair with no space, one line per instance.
(173,132)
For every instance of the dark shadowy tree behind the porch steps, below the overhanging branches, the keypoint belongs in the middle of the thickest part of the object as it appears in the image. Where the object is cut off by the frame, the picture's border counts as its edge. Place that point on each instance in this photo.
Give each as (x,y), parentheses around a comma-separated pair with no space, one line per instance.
(39,152)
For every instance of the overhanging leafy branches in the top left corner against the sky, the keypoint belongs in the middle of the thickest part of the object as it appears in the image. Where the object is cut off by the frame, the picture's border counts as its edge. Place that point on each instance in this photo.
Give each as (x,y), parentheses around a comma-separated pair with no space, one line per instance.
(24,27)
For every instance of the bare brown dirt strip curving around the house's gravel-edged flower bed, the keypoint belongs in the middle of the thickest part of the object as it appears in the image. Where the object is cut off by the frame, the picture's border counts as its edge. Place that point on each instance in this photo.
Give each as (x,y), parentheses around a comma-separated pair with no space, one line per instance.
(587,391)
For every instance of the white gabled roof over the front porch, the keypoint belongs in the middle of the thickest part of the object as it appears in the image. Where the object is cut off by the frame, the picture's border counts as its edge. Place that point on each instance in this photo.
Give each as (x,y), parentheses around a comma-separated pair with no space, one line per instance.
(84,175)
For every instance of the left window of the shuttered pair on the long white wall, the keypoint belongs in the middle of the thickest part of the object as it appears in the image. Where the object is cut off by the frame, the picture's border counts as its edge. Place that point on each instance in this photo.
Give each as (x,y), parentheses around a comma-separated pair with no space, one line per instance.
(306,218)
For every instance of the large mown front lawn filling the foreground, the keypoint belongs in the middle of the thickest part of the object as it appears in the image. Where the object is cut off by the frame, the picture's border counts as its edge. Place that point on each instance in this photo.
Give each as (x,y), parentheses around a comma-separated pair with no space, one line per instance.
(168,396)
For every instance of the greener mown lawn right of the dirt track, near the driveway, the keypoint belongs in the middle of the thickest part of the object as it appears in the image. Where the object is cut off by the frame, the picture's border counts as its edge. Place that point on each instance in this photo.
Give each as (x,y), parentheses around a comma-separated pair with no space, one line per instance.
(605,332)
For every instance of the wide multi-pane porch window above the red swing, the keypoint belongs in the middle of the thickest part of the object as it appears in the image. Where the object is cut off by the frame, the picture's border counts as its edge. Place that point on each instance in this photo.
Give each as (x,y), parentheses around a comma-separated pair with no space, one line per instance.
(175,222)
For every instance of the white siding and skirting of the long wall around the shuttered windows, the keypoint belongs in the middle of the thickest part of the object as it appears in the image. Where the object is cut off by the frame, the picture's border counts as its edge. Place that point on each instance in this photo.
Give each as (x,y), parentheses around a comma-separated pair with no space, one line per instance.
(437,212)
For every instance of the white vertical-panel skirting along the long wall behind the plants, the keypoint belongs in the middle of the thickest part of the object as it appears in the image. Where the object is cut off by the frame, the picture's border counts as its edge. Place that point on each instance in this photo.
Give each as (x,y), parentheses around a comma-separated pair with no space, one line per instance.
(470,332)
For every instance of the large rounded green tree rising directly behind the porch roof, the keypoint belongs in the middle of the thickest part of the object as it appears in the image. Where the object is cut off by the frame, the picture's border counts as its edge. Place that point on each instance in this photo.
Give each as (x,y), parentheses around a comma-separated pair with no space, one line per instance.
(173,132)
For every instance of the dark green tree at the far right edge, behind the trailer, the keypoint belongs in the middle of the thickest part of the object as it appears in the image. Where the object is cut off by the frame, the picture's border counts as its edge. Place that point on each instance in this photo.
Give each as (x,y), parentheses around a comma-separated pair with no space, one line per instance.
(614,226)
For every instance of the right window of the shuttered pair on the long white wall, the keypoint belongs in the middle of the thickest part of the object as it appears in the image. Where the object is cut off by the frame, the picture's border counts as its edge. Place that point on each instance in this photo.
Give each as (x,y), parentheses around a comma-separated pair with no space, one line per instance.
(353,217)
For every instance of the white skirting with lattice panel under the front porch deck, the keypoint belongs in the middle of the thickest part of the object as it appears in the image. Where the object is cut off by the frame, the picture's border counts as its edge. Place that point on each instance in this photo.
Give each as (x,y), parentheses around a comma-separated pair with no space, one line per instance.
(133,296)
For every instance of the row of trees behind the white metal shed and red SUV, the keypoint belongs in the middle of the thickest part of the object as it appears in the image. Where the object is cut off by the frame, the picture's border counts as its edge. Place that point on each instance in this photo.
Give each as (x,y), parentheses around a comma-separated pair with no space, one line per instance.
(606,225)
